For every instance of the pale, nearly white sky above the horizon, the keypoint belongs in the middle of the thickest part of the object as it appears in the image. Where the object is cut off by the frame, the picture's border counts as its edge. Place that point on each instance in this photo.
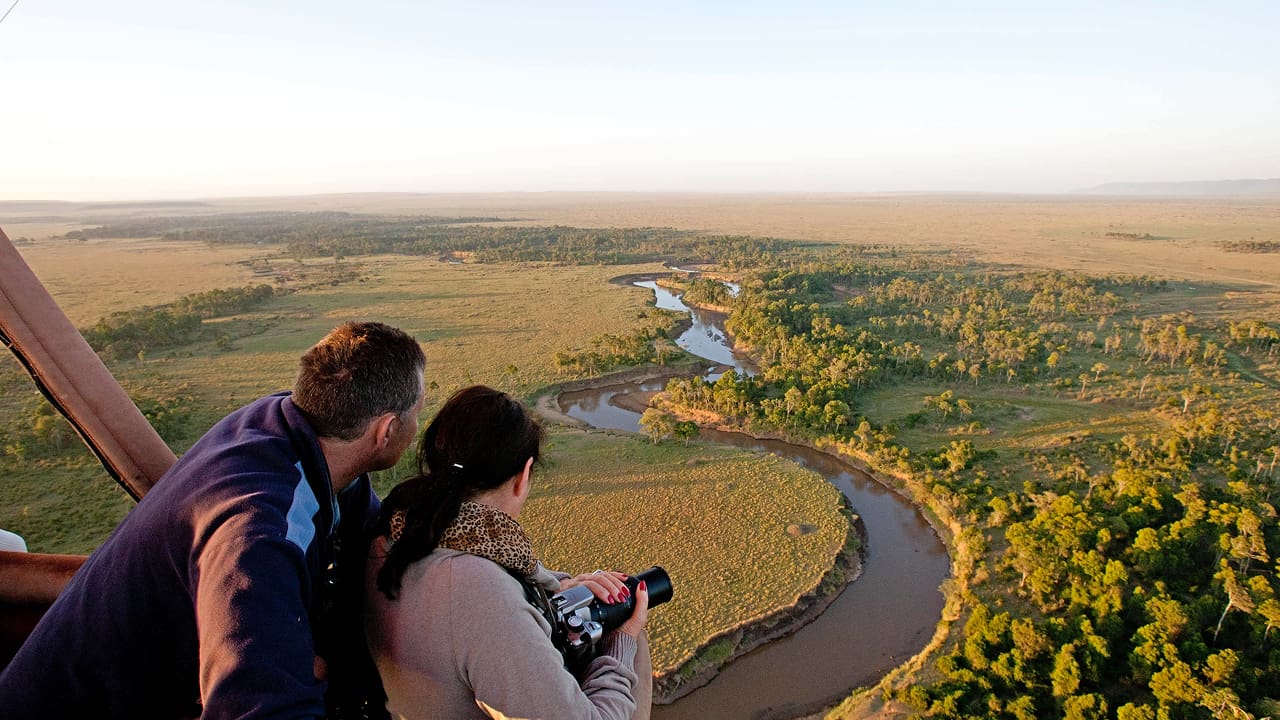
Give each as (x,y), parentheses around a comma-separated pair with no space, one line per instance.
(175,99)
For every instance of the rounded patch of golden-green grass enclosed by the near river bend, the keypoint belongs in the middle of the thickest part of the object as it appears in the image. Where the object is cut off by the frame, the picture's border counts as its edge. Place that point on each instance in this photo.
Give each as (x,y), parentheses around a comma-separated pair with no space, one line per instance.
(712,517)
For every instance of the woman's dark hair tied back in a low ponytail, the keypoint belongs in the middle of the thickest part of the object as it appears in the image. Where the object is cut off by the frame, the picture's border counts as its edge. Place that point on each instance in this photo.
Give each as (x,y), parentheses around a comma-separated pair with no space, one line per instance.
(478,441)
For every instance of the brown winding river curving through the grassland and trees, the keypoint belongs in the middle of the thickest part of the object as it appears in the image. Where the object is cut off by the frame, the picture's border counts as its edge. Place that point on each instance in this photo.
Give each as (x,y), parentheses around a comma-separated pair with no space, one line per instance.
(876,625)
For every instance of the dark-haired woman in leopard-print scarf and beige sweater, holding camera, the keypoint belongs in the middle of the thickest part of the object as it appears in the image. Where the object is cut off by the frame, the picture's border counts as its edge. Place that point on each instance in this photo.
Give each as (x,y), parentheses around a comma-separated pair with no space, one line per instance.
(447,619)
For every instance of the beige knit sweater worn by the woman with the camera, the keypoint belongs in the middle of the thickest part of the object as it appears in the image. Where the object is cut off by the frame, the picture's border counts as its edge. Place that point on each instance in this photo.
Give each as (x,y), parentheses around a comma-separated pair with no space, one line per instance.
(461,641)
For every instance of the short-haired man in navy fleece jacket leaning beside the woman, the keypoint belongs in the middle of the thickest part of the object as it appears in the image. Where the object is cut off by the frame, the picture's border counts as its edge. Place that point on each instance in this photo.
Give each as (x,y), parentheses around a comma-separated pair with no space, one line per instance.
(211,598)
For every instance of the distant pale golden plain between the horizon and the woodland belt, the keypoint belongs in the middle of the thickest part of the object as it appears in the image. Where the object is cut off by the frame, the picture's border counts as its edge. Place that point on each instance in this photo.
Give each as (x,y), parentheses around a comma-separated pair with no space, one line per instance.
(1059,233)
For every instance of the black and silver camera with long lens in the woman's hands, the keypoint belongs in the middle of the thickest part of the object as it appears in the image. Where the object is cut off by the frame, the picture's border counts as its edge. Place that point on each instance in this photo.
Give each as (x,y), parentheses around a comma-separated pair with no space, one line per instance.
(579,621)
